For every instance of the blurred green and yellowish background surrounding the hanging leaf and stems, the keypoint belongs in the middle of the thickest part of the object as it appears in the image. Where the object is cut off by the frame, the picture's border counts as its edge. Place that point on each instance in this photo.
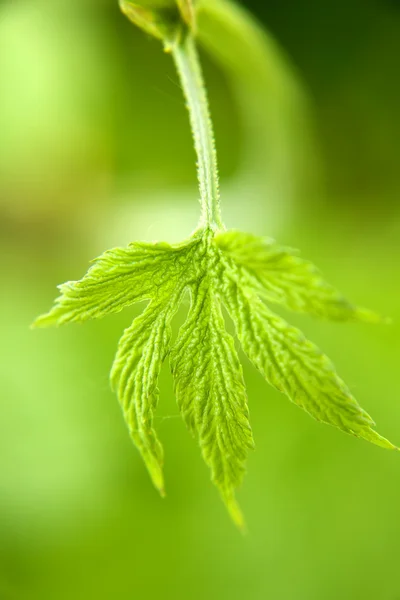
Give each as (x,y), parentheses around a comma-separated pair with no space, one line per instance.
(95,151)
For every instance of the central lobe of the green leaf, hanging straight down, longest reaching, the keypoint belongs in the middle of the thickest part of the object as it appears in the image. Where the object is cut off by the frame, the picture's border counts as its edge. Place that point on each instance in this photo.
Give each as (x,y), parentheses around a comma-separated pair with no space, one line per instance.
(210,392)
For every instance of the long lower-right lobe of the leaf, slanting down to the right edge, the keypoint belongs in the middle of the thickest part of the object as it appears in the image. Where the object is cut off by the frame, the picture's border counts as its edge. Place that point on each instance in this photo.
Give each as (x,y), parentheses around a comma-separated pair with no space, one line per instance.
(291,363)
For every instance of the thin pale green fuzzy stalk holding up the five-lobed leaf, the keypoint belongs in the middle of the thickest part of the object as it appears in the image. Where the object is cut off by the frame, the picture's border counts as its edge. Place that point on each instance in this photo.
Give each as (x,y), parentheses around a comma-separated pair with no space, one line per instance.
(190,73)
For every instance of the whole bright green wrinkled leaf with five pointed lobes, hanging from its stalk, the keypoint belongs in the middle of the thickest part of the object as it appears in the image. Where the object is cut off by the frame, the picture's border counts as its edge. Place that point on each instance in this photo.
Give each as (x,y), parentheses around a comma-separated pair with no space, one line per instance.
(240,271)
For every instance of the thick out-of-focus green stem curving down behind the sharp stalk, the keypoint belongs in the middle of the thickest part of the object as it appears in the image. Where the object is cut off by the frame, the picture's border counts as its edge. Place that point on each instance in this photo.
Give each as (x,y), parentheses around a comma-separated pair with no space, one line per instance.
(279,150)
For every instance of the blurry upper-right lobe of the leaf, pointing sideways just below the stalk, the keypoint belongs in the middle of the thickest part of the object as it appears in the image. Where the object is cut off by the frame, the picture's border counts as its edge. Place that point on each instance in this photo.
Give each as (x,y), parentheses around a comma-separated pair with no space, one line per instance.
(279,275)
